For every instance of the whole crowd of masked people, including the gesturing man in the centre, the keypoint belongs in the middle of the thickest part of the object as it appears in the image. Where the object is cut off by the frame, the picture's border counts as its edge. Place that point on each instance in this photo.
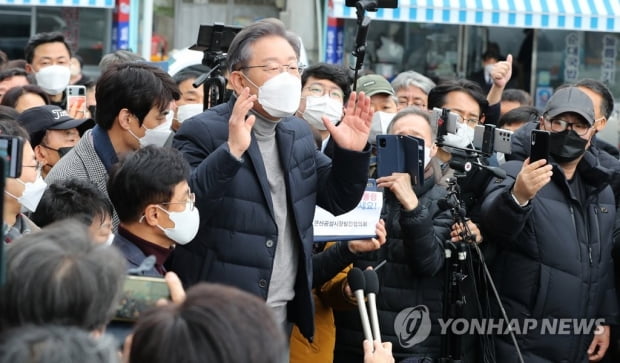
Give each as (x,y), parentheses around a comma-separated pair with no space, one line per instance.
(218,206)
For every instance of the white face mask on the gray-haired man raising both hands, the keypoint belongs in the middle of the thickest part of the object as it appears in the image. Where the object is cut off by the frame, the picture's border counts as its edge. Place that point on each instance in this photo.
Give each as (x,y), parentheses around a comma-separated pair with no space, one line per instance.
(280,96)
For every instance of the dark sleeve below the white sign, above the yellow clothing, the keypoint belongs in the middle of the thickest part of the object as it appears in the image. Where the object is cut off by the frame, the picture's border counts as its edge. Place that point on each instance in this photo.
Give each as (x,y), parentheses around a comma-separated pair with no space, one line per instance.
(329,262)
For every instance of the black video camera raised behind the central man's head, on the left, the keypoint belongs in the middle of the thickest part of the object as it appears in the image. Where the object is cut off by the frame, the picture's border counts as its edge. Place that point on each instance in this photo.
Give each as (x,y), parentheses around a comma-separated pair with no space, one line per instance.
(214,40)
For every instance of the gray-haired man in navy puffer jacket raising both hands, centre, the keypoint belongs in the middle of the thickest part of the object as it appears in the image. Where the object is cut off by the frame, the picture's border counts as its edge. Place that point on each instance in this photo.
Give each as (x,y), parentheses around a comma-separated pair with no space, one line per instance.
(258,177)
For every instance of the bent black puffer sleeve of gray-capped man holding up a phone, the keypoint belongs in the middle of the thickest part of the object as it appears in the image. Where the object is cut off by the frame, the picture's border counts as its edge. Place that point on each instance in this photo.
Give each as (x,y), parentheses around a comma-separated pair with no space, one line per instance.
(501,217)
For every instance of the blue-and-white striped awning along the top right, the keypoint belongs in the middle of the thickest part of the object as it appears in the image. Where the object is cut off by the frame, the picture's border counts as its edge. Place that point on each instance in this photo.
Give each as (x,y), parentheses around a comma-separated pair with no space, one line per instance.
(585,15)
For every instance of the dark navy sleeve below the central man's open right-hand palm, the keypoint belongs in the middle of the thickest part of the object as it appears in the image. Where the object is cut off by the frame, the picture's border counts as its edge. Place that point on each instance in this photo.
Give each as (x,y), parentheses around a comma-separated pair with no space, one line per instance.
(342,180)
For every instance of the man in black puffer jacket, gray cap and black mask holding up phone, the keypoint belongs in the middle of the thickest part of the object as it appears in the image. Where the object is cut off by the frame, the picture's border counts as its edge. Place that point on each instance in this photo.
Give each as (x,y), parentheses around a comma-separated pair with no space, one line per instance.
(553,223)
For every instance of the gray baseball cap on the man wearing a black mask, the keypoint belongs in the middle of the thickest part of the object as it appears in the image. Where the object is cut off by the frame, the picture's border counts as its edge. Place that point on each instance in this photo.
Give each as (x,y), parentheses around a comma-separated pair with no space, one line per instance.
(570,99)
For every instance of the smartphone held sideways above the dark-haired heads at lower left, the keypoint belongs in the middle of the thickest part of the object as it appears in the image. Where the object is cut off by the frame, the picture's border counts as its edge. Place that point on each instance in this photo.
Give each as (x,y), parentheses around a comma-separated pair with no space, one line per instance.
(140,293)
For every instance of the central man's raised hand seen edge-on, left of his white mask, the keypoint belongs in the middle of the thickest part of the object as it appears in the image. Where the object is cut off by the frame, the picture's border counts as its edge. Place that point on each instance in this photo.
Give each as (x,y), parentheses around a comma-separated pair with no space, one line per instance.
(240,127)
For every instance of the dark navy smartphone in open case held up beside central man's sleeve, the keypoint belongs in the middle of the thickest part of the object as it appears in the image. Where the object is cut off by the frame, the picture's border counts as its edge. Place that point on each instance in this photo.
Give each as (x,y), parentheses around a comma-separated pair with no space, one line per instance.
(400,154)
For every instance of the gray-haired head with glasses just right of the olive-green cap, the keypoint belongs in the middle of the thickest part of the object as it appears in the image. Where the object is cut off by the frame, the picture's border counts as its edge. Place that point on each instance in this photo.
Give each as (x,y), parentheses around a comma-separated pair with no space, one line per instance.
(412,89)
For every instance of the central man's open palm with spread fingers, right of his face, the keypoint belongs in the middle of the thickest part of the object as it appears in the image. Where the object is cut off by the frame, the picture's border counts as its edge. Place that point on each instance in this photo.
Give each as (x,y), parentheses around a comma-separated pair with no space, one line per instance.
(352,132)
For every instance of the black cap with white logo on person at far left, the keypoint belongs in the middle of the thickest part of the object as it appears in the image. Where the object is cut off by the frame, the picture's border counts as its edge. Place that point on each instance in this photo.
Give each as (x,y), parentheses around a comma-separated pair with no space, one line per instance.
(38,120)
